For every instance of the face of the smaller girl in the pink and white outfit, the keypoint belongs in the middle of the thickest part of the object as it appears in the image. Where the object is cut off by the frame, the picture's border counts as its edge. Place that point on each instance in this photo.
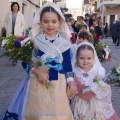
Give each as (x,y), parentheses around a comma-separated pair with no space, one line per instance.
(85,59)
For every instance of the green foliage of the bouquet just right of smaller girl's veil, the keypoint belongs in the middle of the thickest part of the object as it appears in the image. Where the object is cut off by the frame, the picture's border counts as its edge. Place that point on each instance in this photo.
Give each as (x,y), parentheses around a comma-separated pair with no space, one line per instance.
(99,49)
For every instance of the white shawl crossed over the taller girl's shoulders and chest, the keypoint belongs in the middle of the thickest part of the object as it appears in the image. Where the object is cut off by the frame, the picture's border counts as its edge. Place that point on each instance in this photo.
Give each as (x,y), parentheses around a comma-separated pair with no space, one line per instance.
(54,49)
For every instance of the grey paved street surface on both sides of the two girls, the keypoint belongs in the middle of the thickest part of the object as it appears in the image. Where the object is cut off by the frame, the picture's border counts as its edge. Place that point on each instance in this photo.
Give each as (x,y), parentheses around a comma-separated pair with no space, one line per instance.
(10,77)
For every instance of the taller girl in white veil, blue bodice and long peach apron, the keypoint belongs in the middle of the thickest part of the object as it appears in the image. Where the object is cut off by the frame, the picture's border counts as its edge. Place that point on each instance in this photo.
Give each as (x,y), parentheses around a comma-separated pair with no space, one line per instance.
(51,39)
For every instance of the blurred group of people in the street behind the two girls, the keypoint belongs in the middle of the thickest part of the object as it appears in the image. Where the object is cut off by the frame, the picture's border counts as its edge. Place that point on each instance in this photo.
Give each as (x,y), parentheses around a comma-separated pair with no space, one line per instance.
(89,25)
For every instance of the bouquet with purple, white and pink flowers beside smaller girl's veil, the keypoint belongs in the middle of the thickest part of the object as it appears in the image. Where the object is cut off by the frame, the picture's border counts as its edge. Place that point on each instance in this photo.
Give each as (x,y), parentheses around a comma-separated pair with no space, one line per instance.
(103,52)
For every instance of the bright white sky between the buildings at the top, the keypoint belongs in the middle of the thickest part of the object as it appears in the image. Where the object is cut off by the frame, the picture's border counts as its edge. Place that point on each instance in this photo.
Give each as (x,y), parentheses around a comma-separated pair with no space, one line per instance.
(73,3)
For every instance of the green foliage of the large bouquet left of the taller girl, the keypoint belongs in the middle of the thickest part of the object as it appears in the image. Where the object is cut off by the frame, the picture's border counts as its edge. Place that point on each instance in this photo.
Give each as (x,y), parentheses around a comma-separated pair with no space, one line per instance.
(15,51)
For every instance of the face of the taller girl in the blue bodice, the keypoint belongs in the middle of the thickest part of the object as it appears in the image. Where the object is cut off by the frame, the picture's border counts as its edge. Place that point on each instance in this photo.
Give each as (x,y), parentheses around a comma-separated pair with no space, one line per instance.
(50,23)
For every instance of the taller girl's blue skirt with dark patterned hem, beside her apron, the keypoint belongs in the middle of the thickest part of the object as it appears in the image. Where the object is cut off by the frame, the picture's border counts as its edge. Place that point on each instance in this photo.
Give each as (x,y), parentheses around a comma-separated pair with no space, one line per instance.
(15,108)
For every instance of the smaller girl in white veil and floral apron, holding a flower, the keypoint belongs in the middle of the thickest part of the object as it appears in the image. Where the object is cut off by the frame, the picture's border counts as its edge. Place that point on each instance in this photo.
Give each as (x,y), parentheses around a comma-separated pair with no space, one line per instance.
(93,101)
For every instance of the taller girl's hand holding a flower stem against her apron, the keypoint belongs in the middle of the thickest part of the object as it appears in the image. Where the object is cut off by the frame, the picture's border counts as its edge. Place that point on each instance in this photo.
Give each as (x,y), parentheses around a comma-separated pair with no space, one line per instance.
(41,75)
